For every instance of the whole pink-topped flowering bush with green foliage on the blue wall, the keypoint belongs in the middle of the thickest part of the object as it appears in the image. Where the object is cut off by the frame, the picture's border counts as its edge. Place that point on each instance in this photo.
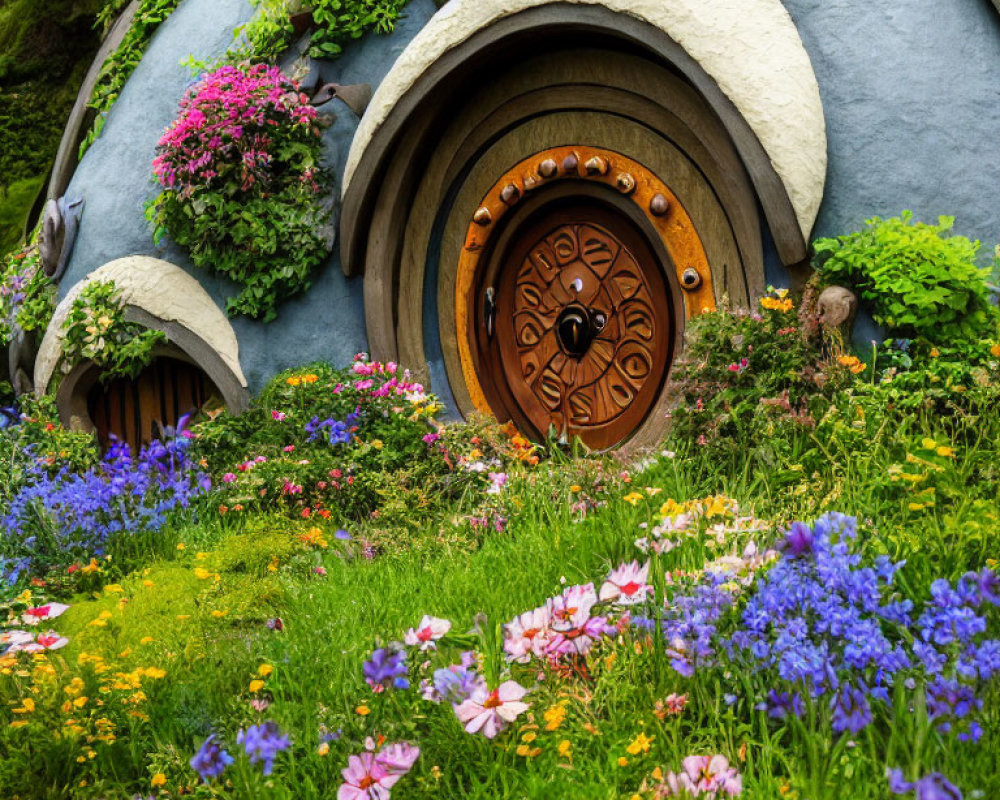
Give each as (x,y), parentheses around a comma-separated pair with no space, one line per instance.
(243,187)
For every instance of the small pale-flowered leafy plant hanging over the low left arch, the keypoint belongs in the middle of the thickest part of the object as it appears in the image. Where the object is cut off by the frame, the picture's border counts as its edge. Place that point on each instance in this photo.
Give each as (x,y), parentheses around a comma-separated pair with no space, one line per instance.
(95,329)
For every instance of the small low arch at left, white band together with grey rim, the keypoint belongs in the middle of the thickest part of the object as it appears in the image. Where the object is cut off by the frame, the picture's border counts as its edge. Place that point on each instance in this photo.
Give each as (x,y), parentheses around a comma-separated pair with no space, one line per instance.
(160,295)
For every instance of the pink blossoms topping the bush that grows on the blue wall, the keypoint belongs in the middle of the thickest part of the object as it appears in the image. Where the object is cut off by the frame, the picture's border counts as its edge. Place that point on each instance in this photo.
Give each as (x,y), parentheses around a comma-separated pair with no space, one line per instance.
(227,129)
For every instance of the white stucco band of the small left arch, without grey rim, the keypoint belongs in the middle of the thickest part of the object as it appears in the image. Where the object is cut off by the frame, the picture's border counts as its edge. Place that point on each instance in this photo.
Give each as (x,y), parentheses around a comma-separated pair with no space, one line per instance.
(163,291)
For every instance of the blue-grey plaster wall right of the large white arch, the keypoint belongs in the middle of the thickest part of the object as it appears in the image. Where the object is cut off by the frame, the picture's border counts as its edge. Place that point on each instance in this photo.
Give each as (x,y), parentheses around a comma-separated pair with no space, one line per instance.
(911,93)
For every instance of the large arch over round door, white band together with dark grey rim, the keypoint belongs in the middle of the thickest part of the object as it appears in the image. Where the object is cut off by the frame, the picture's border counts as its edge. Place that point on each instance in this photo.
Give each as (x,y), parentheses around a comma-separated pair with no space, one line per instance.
(744,56)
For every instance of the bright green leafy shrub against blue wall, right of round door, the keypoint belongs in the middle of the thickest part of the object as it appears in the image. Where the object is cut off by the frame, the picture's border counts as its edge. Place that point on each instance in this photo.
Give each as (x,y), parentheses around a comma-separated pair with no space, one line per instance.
(920,282)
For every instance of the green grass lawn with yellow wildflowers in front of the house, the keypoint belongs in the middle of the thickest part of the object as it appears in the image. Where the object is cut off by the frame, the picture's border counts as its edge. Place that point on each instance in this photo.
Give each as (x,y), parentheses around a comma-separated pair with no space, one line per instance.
(227,618)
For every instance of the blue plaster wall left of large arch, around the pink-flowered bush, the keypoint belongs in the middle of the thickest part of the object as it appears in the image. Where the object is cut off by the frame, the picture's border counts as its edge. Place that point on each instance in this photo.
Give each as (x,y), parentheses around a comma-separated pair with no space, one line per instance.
(115,180)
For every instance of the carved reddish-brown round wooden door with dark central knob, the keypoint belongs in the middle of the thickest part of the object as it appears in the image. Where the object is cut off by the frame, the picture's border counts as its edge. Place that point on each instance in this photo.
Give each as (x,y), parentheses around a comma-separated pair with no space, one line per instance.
(582,326)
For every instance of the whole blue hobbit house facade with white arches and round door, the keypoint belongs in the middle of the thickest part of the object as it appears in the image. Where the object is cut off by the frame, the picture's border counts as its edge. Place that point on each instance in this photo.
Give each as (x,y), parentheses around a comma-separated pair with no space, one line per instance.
(532,198)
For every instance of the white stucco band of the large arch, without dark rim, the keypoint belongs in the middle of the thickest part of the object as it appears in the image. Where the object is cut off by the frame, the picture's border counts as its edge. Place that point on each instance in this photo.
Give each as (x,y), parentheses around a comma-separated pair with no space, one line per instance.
(751,49)
